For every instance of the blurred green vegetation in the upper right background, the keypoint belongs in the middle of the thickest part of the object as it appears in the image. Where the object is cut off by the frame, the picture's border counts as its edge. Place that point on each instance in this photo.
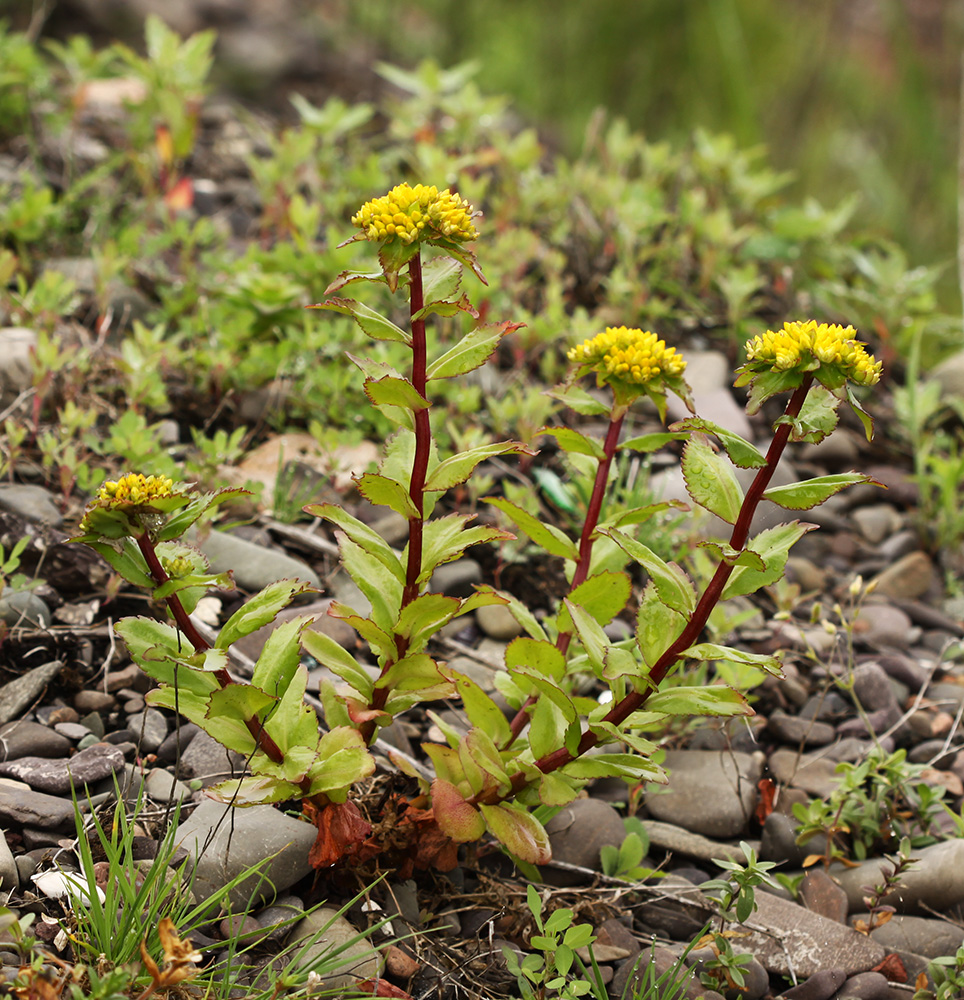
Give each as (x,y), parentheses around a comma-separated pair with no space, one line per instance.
(851,95)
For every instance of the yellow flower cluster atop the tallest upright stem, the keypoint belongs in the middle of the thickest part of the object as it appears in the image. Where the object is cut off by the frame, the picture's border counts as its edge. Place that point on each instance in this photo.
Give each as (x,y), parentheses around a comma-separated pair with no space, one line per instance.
(415,213)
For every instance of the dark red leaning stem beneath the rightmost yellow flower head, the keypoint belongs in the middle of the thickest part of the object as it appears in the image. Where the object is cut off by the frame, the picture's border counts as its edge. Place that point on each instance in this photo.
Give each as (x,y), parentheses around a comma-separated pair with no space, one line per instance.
(714,589)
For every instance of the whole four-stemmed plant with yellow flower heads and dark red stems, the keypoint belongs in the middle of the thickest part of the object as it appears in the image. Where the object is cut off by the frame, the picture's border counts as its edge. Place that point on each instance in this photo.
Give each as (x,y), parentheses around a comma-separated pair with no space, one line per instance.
(488,779)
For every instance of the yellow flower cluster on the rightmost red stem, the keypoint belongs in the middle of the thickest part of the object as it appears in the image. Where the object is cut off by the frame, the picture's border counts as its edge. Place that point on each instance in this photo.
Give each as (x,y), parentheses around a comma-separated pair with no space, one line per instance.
(829,344)
